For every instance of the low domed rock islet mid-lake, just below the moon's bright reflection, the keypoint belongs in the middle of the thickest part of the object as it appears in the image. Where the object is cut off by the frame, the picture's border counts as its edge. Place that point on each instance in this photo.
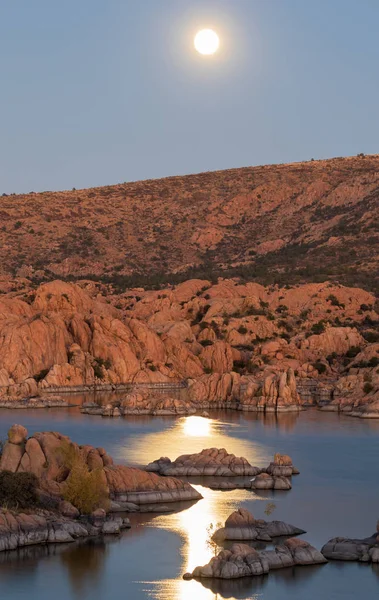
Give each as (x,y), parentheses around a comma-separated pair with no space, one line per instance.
(210,462)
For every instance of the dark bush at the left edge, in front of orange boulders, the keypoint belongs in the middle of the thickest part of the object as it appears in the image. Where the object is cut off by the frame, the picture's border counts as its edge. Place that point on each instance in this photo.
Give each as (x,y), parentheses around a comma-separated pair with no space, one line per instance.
(18,490)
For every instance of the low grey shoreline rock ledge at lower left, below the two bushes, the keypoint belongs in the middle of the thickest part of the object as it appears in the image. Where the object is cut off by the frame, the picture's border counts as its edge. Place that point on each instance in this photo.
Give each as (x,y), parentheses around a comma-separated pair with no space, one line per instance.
(44,527)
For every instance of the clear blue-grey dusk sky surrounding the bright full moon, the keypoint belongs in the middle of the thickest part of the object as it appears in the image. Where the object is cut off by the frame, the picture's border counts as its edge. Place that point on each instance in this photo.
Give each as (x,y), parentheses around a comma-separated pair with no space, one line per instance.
(97,92)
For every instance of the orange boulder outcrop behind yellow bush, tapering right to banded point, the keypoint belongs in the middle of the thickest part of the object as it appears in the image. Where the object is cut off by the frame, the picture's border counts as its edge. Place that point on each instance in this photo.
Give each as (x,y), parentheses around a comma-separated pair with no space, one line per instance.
(45,455)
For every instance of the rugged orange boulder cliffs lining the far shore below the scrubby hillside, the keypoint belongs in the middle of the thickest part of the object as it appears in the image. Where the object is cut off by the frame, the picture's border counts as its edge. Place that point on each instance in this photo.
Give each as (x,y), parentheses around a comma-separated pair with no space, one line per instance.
(217,336)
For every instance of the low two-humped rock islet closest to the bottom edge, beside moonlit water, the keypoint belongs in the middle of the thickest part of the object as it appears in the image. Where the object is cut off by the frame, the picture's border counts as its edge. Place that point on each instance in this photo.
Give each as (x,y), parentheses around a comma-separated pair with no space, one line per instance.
(244,561)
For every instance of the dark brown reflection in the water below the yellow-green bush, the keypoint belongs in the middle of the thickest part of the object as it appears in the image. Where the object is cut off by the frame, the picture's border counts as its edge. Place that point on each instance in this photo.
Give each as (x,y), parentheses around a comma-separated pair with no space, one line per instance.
(84,563)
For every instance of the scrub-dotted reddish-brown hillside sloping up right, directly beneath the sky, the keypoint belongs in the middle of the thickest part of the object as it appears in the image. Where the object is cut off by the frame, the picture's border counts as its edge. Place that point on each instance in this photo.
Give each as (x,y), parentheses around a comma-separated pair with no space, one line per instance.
(302,222)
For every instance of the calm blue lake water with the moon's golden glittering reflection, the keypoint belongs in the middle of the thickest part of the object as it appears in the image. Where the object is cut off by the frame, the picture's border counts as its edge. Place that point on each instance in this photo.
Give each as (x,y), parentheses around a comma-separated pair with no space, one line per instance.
(337,493)
